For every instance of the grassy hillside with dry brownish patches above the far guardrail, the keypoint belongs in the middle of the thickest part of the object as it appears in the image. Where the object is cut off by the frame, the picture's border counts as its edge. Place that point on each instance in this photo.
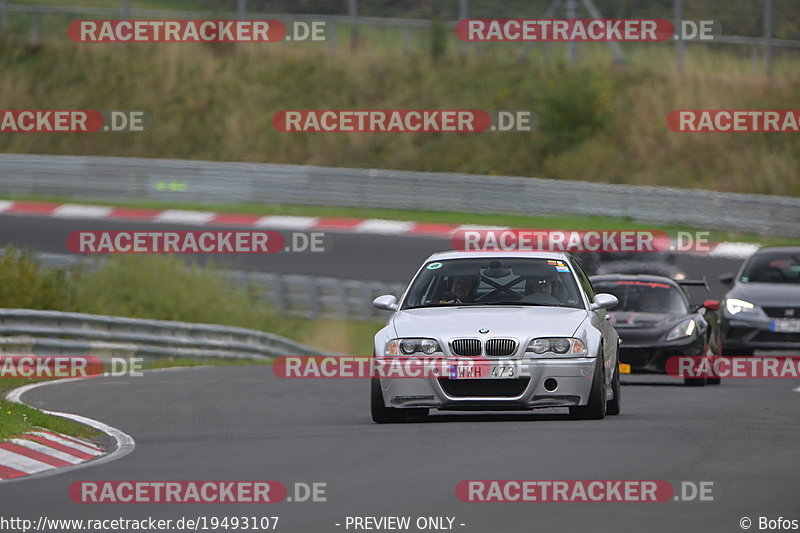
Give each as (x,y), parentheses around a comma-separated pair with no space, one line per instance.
(598,122)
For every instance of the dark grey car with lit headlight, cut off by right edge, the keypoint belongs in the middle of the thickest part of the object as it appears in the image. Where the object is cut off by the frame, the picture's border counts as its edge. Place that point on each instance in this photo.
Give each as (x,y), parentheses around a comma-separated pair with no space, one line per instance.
(761,311)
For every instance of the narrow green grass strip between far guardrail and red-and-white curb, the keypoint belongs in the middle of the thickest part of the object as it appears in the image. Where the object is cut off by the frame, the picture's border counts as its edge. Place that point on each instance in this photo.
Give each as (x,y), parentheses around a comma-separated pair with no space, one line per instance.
(565,222)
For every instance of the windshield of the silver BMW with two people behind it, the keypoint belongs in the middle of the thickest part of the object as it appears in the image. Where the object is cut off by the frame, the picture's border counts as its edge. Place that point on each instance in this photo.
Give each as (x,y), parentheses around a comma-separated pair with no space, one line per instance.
(525,281)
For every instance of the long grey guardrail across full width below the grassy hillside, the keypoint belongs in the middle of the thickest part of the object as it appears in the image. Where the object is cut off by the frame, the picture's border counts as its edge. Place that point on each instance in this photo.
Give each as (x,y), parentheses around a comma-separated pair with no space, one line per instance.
(116,178)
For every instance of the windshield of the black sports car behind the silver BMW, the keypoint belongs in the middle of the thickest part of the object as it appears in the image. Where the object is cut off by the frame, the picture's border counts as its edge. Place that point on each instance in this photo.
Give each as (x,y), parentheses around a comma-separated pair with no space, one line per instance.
(644,296)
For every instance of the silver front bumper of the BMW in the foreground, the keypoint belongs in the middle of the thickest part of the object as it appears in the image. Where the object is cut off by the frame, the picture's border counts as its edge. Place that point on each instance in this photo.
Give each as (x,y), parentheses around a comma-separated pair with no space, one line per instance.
(573,380)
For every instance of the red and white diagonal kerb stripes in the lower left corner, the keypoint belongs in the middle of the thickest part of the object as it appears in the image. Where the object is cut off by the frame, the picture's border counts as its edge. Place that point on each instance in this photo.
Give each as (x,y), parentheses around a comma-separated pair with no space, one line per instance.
(41,450)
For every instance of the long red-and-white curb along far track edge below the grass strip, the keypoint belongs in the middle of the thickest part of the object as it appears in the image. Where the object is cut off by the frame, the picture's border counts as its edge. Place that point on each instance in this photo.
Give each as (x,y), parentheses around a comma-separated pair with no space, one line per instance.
(374,226)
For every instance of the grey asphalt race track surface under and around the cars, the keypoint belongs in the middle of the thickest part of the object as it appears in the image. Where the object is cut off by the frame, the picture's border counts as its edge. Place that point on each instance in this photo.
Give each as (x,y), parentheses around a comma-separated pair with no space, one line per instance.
(243,423)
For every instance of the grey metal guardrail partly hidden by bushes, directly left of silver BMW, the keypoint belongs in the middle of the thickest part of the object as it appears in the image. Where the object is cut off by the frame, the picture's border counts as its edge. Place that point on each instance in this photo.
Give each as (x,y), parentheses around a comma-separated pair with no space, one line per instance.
(288,294)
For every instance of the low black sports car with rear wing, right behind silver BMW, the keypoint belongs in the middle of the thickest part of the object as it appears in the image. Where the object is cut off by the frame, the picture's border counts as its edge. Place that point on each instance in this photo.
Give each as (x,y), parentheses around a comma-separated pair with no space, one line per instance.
(655,321)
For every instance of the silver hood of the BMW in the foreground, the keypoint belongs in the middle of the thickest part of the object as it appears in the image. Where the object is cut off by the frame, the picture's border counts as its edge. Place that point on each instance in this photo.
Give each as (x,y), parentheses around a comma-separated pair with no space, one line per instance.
(500,321)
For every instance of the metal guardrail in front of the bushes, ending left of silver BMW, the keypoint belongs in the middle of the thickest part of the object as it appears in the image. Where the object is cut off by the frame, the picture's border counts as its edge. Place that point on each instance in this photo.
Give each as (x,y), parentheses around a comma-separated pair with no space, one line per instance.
(24,331)
